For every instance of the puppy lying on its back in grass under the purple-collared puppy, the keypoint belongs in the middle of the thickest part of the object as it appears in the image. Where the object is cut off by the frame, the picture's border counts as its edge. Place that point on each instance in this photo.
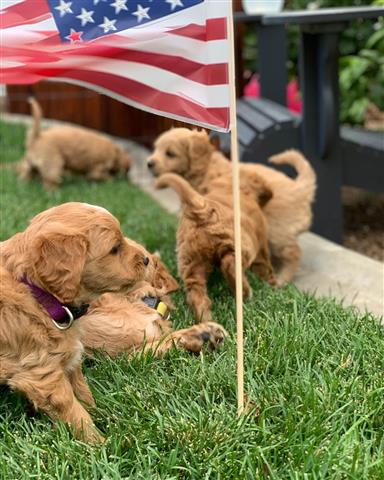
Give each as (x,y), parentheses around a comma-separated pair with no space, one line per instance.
(117,323)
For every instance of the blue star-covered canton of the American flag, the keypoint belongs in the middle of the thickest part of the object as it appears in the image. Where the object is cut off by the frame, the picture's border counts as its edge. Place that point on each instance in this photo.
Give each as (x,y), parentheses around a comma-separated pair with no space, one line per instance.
(84,20)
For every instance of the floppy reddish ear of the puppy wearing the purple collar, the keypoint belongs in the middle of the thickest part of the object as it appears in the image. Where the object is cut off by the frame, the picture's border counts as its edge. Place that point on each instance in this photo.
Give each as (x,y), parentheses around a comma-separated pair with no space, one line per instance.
(58,261)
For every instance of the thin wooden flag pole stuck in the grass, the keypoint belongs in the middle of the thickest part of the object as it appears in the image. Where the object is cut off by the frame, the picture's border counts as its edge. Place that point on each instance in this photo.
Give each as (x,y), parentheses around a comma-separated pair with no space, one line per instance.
(237,217)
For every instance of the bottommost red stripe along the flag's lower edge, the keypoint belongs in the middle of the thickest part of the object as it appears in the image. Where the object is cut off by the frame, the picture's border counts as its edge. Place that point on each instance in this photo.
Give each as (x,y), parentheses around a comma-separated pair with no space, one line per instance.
(130,90)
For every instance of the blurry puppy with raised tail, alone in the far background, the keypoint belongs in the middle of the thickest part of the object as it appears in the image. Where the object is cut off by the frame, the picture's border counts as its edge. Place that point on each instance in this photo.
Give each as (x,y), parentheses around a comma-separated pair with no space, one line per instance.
(65,149)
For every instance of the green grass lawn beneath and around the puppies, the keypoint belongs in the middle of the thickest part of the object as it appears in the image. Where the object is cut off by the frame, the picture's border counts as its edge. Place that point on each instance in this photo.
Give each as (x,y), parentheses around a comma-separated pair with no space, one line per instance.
(314,372)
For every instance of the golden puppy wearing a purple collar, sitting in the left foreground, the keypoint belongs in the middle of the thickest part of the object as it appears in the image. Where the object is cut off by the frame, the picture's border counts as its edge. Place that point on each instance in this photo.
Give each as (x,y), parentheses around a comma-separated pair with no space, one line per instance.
(66,258)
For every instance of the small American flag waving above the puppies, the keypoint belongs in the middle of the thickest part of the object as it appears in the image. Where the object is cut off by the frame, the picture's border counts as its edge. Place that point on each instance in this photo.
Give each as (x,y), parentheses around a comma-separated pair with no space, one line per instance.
(168,57)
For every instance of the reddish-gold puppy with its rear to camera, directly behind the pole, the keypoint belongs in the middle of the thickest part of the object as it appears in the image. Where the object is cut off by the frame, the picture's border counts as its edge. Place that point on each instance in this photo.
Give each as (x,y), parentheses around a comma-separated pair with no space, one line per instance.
(205,236)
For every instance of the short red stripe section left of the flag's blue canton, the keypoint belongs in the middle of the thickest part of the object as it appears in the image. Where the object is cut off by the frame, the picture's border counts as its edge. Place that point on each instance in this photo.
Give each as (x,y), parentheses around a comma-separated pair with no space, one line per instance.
(28,11)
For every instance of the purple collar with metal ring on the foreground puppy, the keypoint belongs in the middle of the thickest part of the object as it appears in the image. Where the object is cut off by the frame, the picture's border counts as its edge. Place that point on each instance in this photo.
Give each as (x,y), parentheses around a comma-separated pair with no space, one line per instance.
(62,315)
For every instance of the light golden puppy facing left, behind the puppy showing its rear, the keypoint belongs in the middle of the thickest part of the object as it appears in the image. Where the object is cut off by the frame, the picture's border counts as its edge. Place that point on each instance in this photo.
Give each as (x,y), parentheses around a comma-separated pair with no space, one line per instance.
(190,154)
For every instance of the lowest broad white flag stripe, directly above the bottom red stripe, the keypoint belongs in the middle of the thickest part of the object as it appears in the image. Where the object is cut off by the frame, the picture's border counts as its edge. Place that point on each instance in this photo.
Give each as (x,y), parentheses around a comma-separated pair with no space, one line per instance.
(154,77)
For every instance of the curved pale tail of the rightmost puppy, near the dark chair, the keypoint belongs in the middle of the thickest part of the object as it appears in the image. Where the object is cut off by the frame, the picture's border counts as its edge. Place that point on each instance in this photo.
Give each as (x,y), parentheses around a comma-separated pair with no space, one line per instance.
(306,177)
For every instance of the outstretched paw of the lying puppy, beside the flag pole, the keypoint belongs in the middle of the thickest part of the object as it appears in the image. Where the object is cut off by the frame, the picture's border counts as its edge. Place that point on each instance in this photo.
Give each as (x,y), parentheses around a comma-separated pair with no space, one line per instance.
(210,334)
